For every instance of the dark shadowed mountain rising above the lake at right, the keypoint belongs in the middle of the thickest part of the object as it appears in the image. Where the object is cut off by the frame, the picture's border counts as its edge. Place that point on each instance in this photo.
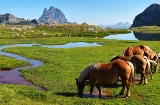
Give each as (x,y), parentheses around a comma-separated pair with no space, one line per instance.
(149,17)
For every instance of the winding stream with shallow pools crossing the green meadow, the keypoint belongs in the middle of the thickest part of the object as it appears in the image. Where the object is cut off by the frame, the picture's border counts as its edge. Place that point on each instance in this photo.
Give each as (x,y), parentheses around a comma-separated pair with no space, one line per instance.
(14,76)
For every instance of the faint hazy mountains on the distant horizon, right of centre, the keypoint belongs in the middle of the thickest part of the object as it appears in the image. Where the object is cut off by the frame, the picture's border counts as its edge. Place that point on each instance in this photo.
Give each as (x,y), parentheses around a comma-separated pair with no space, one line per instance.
(119,25)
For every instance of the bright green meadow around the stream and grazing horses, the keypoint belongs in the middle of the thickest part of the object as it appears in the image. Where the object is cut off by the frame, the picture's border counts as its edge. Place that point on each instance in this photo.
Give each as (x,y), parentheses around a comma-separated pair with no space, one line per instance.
(62,65)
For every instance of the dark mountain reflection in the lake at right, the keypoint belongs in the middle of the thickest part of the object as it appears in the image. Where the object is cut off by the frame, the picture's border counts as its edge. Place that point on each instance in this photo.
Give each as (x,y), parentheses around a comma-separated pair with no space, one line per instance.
(147,36)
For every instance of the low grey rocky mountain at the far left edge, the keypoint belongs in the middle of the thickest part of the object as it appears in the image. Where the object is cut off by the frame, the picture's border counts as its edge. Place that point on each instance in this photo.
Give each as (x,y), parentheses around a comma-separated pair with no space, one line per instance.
(9,18)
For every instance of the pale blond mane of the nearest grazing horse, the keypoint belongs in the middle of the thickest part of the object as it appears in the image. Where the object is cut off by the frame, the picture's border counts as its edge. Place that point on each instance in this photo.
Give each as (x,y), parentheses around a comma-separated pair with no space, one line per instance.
(87,71)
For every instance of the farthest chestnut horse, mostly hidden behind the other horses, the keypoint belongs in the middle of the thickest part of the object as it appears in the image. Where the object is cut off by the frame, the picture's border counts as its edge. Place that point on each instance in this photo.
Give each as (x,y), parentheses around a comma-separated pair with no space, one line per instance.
(137,50)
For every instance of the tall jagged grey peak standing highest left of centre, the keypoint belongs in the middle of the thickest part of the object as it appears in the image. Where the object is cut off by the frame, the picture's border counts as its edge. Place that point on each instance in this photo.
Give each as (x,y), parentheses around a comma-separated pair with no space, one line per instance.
(53,15)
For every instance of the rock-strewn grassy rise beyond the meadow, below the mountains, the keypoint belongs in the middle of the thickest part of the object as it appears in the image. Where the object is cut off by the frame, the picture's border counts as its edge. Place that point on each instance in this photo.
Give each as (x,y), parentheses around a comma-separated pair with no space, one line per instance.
(55,30)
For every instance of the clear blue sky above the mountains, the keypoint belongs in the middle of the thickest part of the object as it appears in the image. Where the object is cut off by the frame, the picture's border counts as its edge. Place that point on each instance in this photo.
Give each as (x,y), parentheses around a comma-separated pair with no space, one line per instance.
(90,11)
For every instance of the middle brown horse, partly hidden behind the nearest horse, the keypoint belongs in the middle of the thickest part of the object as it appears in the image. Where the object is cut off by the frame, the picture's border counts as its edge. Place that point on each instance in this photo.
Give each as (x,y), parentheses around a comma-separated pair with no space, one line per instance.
(140,63)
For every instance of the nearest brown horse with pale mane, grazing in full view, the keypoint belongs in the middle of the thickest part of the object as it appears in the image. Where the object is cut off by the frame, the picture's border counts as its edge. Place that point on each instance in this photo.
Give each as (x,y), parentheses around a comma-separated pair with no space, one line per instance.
(106,74)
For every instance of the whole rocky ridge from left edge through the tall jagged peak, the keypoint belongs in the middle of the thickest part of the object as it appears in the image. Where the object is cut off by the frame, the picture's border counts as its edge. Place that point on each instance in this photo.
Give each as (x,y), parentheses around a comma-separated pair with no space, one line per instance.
(53,15)
